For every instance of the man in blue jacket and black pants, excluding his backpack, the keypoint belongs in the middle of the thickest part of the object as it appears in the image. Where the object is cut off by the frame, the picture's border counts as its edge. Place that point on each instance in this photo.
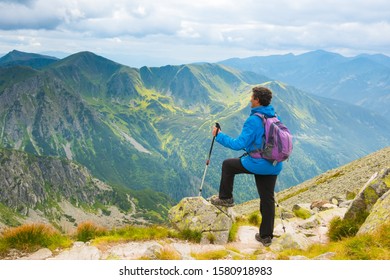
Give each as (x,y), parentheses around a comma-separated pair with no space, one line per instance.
(265,172)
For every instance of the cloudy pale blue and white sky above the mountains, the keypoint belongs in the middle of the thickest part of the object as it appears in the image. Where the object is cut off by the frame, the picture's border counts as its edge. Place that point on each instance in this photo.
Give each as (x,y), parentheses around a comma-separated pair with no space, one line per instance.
(155,33)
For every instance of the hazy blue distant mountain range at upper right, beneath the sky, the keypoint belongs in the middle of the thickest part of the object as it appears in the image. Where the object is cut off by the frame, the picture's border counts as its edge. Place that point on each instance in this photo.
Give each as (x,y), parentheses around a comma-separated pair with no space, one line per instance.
(361,80)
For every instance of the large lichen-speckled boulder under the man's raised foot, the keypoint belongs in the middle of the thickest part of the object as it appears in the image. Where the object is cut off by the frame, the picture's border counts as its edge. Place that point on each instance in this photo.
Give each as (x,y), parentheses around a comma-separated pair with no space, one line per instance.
(198,215)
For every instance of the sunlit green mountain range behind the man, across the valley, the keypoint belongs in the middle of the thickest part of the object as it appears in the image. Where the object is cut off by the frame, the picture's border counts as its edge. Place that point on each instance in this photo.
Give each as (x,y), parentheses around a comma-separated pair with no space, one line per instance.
(150,128)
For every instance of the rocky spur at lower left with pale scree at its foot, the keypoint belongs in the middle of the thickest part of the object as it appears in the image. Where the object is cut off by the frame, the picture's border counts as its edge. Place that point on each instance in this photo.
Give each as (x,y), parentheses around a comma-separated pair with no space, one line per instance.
(57,191)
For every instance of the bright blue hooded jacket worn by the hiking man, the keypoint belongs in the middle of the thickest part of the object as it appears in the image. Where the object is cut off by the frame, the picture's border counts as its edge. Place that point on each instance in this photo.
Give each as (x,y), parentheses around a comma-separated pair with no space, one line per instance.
(251,139)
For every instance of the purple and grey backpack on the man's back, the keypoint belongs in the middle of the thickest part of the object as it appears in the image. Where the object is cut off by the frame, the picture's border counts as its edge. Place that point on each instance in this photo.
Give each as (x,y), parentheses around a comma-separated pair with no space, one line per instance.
(277,140)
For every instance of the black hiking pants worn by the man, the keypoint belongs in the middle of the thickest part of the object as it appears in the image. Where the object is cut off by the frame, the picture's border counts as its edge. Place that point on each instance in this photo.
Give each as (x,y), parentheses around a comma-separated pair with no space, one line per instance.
(265,187)
